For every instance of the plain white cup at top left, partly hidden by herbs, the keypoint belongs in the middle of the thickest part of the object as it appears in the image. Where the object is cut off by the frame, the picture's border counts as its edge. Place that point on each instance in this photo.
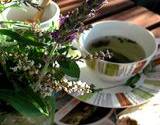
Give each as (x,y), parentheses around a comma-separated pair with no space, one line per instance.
(51,15)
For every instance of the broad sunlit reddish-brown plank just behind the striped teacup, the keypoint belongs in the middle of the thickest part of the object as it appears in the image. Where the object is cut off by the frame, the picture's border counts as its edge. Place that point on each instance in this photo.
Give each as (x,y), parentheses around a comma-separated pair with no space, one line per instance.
(137,15)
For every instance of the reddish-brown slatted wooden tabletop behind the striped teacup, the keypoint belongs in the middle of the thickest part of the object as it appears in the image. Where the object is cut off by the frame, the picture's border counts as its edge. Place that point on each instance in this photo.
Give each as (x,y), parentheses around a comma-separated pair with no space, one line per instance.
(125,10)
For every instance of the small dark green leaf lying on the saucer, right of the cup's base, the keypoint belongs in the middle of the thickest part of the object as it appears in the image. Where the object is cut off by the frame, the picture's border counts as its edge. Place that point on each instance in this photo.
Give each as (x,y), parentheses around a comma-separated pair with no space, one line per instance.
(133,80)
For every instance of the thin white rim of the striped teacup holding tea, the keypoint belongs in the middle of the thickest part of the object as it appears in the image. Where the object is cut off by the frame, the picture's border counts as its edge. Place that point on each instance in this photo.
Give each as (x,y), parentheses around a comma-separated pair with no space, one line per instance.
(124,22)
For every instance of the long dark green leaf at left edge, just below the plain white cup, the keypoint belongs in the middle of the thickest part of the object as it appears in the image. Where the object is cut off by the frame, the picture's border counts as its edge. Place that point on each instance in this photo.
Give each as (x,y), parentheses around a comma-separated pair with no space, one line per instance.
(20,39)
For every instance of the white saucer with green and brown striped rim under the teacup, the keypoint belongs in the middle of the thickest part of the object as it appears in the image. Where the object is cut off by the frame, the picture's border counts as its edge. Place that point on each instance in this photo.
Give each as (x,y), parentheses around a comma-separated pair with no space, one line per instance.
(111,95)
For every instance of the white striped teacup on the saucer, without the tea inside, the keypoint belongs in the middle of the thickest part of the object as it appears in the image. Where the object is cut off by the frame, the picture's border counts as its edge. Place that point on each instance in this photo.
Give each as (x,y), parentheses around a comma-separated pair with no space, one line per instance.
(112,71)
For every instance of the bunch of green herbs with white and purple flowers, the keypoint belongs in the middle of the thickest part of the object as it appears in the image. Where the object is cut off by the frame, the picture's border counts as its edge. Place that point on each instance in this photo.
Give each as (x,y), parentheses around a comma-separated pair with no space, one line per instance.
(35,62)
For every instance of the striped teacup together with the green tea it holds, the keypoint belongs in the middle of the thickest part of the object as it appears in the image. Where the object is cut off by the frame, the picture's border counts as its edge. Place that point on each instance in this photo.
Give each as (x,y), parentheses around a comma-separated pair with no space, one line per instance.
(125,49)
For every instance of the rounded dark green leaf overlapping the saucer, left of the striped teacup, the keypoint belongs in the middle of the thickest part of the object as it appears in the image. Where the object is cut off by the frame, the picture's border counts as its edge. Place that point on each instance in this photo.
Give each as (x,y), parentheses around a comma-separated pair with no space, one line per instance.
(70,68)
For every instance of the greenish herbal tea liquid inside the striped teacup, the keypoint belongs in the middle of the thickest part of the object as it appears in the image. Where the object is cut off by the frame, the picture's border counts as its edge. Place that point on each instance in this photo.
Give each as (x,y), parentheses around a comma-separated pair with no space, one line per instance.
(116,49)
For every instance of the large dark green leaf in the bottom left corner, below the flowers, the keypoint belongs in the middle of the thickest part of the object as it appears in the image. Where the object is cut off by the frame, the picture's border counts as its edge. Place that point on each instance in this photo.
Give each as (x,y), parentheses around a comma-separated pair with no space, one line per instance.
(20,103)
